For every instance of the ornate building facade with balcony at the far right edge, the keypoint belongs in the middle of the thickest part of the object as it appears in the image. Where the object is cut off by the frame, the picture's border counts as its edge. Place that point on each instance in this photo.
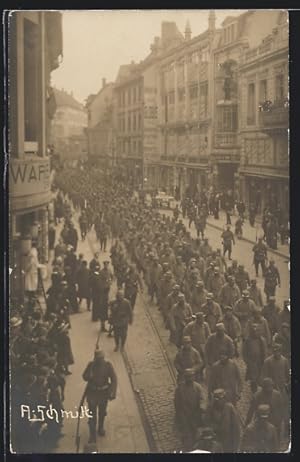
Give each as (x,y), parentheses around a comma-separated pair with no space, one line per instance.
(264,168)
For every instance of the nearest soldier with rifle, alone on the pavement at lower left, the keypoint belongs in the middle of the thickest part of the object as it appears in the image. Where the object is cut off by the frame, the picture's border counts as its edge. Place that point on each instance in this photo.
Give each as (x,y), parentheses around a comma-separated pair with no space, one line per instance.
(101,387)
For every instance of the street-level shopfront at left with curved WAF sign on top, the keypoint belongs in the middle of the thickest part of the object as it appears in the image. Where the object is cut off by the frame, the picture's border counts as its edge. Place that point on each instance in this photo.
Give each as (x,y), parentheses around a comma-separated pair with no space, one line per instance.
(29,210)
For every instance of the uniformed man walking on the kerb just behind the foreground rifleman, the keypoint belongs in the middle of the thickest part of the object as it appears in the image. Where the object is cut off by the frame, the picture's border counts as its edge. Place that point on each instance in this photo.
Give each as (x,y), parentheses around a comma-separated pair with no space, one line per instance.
(121,317)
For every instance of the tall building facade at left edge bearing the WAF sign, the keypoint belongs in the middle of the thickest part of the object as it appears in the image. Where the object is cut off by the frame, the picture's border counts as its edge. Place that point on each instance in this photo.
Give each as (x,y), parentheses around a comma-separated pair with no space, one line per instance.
(35,51)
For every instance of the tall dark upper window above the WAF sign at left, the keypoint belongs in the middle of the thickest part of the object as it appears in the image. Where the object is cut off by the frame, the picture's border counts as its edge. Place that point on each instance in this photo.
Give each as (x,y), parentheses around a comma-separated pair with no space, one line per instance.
(31,71)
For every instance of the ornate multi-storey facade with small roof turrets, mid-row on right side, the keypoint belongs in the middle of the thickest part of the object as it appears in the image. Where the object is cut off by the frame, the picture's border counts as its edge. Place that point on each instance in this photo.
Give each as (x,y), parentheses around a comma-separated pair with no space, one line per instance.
(184,94)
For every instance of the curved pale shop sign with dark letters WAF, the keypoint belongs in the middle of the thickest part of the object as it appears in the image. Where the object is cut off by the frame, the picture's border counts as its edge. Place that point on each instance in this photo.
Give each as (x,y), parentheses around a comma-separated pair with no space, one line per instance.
(29,176)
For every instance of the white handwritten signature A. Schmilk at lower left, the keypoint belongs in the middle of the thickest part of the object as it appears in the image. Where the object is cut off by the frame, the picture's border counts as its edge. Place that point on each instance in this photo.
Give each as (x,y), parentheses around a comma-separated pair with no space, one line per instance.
(42,413)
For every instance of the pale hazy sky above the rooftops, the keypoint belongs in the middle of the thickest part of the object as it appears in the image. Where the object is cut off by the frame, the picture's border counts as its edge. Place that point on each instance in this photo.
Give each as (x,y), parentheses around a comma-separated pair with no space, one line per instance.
(96,43)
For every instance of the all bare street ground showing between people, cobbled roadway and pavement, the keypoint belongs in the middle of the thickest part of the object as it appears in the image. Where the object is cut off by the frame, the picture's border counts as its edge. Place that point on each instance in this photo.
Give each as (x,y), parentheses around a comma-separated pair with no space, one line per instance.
(142,416)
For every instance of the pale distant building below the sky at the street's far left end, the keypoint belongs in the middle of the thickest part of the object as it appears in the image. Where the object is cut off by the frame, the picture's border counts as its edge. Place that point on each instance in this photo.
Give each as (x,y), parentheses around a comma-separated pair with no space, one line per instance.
(68,128)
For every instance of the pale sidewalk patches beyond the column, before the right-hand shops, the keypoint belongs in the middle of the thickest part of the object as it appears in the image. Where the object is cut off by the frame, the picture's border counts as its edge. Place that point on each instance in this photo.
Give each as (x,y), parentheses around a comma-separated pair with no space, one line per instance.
(250,234)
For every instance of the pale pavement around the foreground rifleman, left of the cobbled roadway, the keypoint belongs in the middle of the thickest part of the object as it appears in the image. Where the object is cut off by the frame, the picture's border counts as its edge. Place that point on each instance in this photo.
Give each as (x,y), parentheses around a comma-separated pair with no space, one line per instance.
(124,427)
